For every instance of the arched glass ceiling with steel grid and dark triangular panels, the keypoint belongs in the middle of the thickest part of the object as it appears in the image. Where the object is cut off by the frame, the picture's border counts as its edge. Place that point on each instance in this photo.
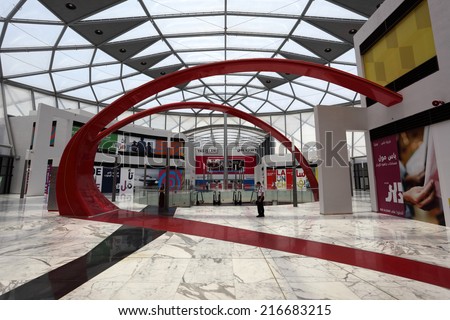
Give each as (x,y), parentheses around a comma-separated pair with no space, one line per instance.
(95,51)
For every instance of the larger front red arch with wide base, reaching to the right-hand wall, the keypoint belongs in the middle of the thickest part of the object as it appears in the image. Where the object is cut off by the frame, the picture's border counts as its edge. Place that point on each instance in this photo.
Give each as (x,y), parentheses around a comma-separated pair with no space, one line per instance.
(76,192)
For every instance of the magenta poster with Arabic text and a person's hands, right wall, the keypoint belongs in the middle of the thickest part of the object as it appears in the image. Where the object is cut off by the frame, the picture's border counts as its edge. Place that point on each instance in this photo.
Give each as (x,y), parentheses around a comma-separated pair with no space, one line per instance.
(407,179)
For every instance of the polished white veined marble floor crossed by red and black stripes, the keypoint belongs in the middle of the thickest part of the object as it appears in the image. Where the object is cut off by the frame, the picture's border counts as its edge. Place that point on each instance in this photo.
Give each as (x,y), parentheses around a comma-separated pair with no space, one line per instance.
(46,256)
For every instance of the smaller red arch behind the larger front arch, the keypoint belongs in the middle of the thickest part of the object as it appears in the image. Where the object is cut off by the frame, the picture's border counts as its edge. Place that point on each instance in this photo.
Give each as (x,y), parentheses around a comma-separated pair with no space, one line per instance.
(225,109)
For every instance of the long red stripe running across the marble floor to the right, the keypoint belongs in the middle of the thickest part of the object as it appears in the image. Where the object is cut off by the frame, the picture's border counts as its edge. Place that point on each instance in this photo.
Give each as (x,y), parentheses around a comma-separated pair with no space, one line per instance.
(398,266)
